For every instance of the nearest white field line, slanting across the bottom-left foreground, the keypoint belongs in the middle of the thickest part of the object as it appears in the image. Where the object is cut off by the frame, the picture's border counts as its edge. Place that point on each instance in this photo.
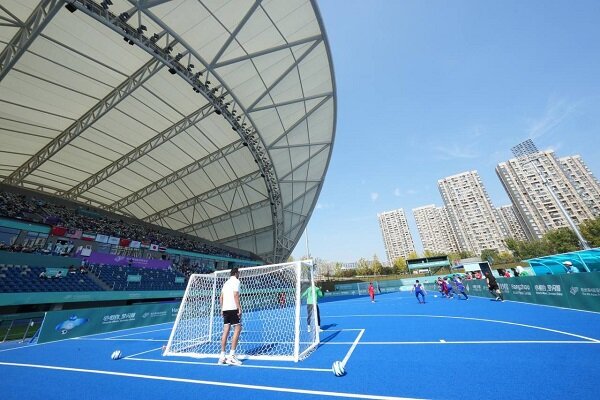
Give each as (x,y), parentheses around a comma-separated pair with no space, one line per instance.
(211,383)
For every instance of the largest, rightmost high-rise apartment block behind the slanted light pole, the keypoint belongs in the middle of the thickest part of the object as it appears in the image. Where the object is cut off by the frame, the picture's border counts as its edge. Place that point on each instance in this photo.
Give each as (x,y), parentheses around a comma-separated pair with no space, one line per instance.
(535,207)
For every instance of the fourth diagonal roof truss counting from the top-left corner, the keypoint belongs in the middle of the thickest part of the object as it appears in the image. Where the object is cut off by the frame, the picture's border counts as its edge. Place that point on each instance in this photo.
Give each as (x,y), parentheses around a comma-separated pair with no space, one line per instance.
(175,176)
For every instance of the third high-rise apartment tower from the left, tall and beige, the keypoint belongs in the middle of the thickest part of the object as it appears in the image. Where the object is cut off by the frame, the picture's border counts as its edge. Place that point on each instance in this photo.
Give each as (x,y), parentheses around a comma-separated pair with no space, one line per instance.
(473,218)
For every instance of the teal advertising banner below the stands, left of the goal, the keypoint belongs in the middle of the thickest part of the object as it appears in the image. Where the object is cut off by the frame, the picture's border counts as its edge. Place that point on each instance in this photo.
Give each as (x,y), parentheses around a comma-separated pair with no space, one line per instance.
(59,325)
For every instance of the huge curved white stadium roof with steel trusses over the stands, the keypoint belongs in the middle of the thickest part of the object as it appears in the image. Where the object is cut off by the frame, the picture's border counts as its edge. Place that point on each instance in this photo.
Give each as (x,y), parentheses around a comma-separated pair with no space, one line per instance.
(214,118)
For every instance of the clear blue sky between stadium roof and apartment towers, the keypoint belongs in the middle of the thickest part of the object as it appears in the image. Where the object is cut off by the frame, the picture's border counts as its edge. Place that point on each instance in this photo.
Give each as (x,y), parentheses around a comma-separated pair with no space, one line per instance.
(429,89)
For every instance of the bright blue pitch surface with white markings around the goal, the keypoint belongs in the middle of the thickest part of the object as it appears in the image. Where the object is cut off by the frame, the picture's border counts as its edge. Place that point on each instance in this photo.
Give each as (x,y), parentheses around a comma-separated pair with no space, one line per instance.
(393,348)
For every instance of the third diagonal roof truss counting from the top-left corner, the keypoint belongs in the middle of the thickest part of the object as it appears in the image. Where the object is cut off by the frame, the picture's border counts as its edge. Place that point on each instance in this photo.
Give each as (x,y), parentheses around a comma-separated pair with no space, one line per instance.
(142,150)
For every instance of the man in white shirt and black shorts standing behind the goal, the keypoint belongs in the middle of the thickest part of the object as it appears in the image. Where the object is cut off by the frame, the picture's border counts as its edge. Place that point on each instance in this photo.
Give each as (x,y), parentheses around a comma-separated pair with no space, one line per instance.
(232,315)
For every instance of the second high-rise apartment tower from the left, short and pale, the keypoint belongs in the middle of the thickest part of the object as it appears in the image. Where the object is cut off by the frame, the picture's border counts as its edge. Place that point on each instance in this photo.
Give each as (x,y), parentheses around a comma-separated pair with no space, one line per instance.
(435,230)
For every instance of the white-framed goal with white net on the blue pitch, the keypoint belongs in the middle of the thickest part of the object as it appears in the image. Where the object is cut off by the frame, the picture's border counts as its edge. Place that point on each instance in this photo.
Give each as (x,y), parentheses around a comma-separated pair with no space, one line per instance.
(274,314)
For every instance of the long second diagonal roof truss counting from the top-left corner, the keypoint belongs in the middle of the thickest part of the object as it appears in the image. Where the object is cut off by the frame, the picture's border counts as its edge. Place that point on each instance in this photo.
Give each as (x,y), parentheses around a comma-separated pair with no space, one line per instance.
(86,120)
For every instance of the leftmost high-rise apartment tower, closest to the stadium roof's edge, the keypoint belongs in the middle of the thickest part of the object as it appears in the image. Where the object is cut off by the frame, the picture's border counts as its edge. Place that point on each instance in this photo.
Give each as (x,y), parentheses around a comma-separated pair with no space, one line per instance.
(397,239)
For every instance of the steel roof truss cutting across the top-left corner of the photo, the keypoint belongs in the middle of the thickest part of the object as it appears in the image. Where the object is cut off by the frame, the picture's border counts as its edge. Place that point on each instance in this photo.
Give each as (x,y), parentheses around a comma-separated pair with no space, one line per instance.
(35,24)
